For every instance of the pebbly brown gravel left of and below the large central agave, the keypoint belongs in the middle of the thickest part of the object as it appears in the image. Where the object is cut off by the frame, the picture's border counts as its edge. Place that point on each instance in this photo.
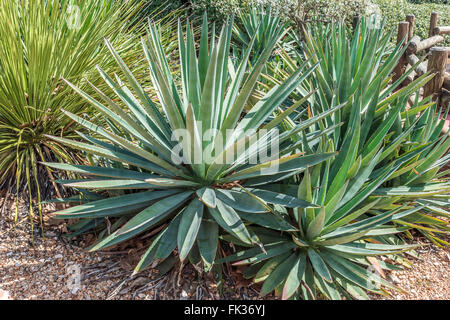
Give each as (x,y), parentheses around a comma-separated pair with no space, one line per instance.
(58,269)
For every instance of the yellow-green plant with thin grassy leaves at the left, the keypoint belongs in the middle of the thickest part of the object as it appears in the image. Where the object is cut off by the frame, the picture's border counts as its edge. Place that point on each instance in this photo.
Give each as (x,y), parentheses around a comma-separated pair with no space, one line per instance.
(42,42)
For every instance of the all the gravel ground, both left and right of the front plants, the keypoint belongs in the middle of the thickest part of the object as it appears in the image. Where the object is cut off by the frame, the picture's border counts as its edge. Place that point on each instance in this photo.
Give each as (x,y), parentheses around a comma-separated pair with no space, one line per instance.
(56,268)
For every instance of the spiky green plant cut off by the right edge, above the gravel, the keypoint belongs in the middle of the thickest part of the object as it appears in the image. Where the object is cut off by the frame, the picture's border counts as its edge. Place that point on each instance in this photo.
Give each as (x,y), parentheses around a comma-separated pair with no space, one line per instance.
(422,182)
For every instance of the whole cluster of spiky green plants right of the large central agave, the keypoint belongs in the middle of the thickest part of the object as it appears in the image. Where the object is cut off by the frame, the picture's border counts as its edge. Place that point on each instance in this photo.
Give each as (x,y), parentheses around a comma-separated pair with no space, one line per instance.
(380,143)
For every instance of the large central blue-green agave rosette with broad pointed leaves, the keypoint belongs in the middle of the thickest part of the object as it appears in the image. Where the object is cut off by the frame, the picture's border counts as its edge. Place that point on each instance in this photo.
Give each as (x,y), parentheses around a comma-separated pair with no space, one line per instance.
(189,188)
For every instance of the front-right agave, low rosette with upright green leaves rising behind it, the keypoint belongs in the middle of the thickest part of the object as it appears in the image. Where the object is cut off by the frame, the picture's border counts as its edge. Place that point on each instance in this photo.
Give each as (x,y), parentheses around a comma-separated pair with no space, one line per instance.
(336,242)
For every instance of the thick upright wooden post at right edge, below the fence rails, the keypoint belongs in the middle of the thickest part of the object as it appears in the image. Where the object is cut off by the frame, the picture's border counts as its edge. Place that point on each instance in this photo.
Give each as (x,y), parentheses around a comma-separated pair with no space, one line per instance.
(437,65)
